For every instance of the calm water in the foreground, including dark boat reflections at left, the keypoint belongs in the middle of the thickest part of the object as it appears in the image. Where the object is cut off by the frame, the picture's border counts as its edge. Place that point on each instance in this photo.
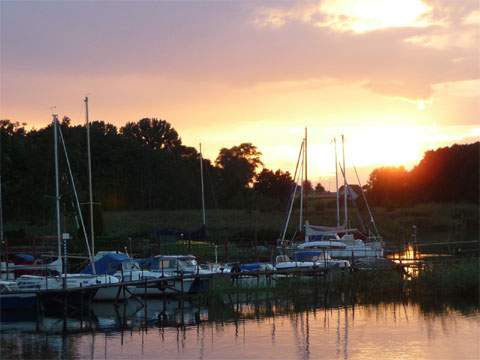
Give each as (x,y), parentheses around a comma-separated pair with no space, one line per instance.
(247,329)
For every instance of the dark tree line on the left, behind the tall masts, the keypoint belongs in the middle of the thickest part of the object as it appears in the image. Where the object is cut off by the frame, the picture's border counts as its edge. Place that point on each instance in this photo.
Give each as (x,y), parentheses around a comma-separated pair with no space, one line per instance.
(140,166)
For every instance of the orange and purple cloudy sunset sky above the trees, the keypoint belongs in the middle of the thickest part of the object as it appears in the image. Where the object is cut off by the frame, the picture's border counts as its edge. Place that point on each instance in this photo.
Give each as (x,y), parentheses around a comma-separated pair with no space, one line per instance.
(396,77)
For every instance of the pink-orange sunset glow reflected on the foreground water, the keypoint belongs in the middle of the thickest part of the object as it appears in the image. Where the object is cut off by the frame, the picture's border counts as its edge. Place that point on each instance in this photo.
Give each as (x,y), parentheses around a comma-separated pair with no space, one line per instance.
(386,331)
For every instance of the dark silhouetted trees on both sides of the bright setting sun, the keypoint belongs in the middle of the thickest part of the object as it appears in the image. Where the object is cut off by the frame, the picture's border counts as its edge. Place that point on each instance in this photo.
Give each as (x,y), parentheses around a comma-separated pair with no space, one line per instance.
(144,165)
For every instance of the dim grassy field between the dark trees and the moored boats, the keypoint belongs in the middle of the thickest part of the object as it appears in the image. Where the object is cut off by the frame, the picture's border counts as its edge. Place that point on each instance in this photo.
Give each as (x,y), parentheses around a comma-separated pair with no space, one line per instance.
(241,233)
